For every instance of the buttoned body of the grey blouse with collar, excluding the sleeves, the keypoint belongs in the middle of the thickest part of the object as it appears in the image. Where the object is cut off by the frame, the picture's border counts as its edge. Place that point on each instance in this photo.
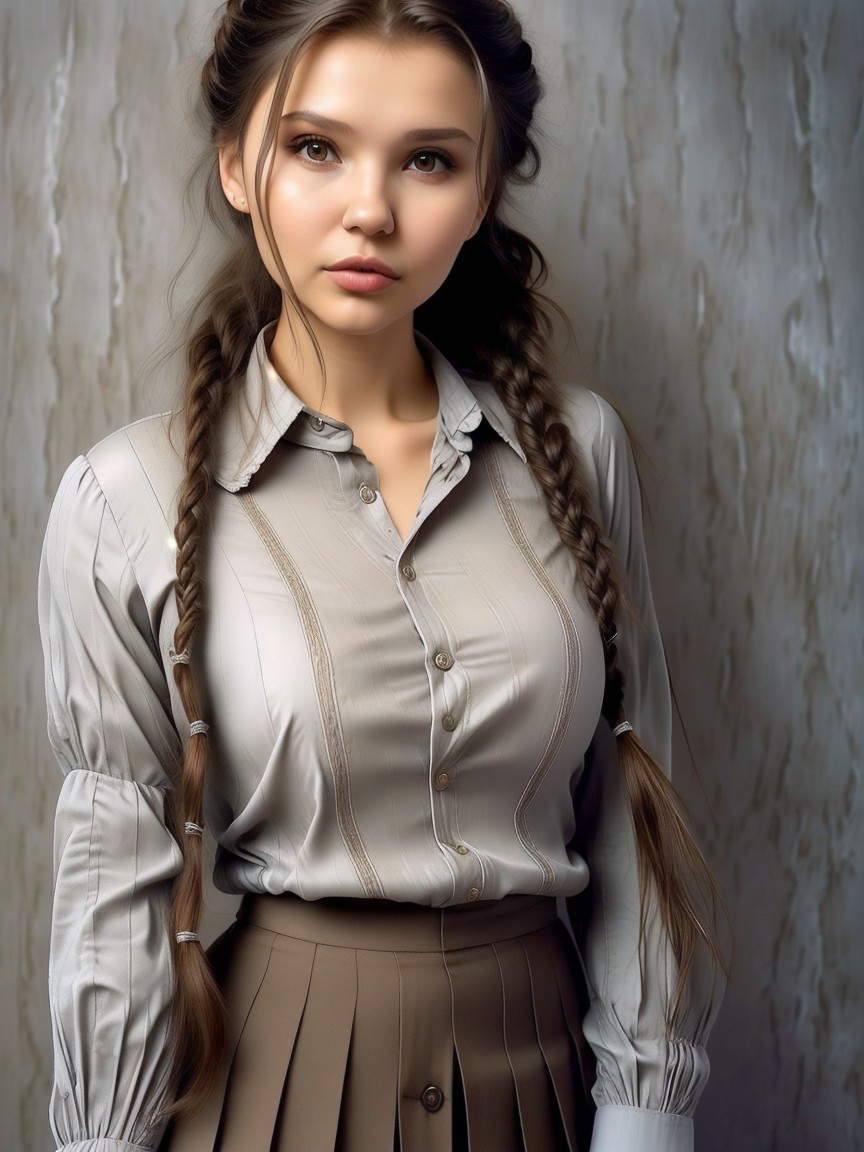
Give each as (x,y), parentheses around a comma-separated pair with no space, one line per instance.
(388,718)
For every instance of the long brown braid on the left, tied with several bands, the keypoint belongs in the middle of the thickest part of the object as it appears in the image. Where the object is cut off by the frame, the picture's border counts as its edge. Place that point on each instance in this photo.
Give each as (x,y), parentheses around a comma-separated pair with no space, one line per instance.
(236,308)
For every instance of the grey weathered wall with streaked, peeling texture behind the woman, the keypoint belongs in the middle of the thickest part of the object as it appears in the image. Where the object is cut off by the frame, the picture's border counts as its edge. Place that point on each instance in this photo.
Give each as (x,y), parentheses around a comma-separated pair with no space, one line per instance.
(703,204)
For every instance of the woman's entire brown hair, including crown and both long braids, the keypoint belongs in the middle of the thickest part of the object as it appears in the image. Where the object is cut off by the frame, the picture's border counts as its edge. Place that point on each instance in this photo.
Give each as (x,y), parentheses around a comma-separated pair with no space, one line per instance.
(503,338)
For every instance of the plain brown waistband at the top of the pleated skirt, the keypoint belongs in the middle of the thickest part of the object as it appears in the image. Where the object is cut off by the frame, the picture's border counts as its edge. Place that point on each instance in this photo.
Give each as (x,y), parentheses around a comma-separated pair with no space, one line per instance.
(383,926)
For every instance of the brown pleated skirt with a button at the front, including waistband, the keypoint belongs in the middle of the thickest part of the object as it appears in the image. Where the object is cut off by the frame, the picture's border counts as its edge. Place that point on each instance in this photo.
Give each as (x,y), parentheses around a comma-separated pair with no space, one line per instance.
(363,1026)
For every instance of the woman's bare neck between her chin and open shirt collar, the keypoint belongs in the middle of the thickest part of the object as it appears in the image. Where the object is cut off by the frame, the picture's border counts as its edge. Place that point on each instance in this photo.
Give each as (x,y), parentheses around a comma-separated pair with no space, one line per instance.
(370,377)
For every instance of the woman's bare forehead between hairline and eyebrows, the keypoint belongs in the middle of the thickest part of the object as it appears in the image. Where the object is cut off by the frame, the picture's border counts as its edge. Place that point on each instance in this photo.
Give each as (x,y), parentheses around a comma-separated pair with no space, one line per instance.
(391,85)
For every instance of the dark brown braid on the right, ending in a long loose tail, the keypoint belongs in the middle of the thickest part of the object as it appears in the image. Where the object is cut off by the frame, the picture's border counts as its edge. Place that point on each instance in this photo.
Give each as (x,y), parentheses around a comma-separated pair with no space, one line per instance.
(671,865)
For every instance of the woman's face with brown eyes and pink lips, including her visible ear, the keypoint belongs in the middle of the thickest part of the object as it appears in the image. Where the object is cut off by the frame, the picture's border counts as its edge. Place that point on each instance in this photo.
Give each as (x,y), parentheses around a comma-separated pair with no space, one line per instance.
(374,187)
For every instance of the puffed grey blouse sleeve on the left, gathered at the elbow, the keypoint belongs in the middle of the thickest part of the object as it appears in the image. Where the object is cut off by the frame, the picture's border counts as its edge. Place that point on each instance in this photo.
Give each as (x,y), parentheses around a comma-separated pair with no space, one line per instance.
(110,725)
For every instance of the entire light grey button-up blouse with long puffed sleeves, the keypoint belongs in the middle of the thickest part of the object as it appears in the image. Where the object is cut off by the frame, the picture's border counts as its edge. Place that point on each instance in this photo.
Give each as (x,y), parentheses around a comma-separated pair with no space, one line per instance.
(388,718)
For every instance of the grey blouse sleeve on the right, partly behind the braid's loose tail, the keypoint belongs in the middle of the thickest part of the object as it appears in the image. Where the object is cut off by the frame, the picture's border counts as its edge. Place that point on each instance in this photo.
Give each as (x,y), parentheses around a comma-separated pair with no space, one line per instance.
(647,1085)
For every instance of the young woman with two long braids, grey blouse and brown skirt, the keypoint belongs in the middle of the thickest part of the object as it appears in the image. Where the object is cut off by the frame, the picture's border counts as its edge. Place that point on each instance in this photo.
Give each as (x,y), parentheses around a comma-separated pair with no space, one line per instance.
(377,613)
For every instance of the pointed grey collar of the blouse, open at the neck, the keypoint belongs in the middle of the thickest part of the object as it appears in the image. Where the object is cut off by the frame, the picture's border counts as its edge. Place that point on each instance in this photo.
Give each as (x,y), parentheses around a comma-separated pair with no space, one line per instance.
(264,411)
